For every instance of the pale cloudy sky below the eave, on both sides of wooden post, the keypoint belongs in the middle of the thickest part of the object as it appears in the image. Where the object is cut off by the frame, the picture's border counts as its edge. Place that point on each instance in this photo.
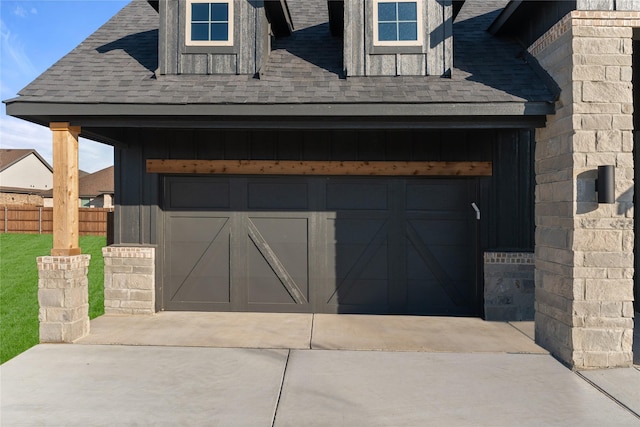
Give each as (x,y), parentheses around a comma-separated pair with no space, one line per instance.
(16,133)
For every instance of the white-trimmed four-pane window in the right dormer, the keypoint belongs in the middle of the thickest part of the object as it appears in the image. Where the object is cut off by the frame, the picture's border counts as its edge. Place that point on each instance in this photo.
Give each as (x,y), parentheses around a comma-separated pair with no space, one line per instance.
(397,23)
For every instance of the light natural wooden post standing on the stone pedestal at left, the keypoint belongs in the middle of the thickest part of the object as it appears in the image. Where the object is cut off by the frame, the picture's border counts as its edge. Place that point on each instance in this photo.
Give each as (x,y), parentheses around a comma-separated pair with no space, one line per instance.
(65,189)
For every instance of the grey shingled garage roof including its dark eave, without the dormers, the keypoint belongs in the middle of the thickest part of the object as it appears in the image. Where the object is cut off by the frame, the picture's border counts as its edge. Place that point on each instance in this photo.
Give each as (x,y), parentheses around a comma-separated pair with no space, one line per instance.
(112,73)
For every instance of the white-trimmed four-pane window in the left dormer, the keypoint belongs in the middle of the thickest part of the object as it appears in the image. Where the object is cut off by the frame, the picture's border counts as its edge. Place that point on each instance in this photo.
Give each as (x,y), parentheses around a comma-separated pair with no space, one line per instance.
(209,23)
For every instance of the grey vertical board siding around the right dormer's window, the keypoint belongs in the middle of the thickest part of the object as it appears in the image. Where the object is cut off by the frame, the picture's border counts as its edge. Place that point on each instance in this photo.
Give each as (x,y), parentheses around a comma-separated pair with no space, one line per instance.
(435,57)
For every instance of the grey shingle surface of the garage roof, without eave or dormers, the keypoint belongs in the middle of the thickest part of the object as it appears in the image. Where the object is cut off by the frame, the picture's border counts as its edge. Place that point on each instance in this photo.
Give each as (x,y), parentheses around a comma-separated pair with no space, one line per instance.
(116,65)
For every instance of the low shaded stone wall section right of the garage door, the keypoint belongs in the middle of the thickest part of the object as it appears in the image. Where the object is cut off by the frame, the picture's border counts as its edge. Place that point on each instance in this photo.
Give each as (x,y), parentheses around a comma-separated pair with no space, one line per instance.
(508,286)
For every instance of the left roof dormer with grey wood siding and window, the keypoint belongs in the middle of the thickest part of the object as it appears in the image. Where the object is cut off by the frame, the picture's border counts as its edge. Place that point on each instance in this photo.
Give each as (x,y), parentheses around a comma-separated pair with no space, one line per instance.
(218,36)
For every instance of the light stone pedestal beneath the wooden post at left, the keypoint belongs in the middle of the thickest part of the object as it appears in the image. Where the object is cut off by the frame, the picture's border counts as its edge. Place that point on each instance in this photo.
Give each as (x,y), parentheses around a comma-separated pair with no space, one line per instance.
(63,295)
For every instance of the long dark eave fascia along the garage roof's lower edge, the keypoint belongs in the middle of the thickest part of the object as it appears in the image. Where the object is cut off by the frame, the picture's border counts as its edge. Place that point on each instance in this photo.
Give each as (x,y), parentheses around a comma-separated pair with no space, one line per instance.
(104,123)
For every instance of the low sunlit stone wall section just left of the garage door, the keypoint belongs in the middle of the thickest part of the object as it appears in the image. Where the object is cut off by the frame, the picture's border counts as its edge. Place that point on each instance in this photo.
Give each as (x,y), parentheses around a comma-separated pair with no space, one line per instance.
(129,280)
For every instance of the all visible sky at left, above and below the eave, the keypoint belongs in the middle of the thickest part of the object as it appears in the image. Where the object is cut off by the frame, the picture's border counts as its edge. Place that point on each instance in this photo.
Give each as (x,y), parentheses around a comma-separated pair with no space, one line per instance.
(33,36)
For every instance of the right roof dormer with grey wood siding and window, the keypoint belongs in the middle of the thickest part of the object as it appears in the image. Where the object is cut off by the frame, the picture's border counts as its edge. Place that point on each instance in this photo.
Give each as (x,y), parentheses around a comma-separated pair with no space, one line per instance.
(396,38)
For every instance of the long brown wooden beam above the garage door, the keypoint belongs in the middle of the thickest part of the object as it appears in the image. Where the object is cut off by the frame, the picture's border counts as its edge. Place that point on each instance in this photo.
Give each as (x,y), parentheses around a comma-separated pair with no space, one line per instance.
(295,167)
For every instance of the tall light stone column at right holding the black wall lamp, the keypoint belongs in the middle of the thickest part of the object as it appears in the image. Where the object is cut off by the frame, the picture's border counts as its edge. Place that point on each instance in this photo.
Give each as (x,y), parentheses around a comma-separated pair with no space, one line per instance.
(584,250)
